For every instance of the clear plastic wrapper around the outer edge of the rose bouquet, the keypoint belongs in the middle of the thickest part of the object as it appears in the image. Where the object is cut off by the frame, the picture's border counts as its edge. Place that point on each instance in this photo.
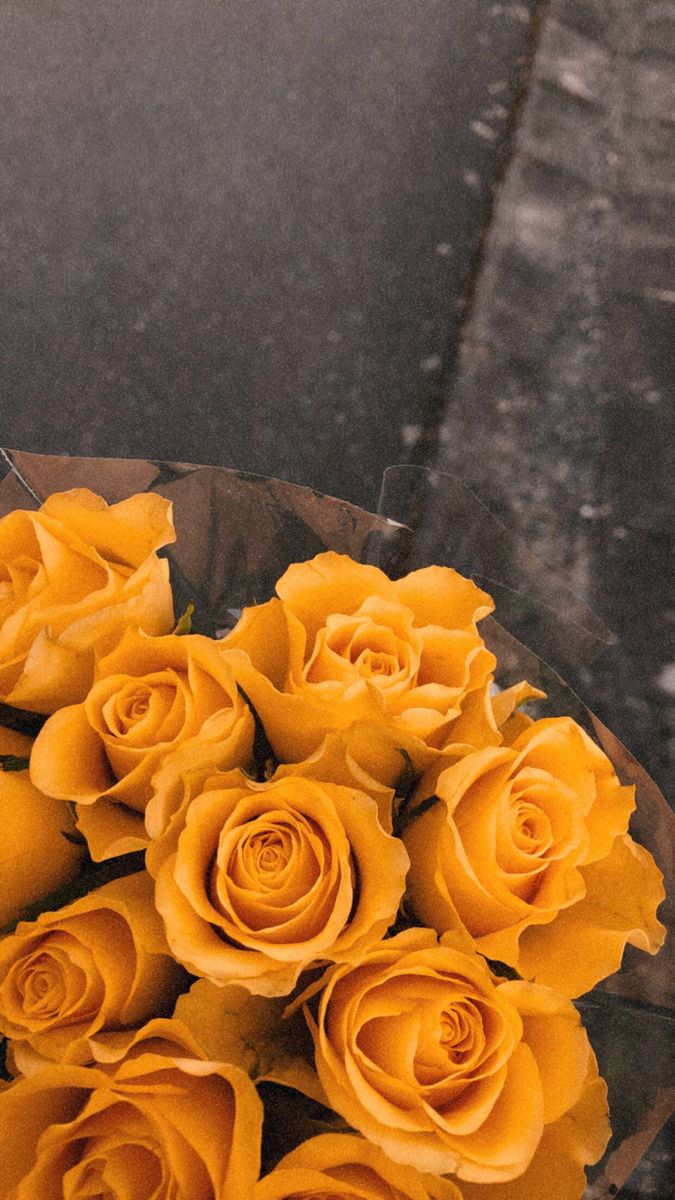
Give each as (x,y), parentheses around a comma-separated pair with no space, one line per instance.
(237,533)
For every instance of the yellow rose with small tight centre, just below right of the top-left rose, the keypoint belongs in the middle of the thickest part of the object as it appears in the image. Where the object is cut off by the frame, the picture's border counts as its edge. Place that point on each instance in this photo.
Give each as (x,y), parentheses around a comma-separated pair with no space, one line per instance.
(153,699)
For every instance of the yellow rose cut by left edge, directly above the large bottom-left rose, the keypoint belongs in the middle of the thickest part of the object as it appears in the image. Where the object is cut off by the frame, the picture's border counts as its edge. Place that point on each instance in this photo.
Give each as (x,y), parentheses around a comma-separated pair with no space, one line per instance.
(100,963)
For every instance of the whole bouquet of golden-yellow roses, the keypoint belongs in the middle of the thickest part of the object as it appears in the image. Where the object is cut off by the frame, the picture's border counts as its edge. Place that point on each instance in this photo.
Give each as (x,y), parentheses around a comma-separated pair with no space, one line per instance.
(297,887)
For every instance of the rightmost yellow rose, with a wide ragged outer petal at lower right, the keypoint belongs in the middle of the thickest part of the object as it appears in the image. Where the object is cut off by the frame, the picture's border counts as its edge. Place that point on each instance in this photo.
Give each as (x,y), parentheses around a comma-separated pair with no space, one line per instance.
(528,853)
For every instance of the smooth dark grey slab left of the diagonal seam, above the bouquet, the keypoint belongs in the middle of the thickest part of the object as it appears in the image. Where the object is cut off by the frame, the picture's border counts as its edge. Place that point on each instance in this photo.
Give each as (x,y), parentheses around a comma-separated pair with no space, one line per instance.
(238,232)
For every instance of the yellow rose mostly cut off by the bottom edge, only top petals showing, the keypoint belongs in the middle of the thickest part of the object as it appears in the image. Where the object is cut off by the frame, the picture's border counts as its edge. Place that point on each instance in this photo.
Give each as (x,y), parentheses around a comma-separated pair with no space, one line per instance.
(334,1166)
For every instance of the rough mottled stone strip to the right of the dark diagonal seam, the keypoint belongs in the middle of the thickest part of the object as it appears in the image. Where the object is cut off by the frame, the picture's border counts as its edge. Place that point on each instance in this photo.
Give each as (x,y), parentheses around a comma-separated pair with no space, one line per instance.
(558,409)
